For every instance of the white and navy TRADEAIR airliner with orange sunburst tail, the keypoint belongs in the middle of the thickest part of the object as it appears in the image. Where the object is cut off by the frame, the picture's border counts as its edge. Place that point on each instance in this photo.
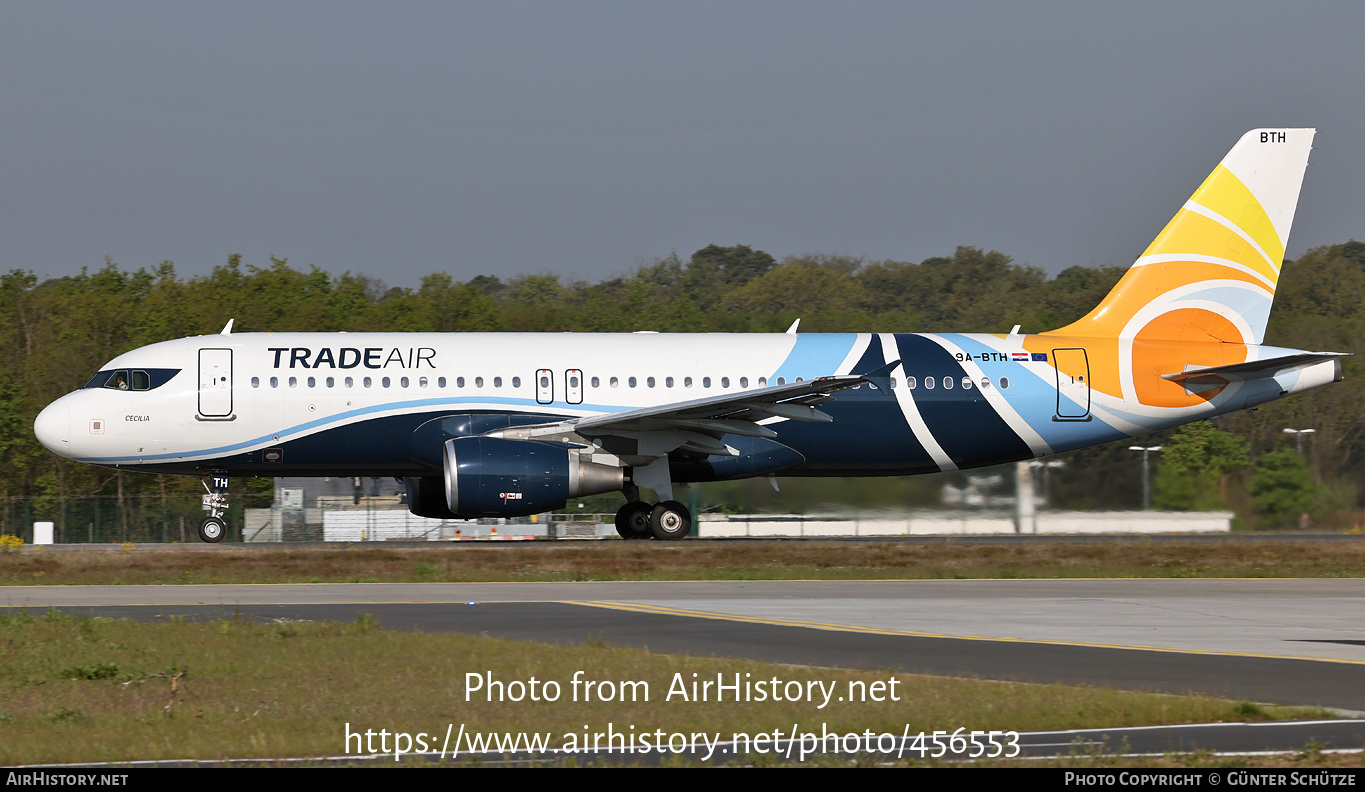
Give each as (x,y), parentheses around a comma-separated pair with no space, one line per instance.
(517,424)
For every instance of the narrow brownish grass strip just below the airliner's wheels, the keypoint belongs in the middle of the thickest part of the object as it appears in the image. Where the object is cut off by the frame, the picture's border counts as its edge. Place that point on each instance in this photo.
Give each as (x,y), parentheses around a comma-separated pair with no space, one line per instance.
(614,561)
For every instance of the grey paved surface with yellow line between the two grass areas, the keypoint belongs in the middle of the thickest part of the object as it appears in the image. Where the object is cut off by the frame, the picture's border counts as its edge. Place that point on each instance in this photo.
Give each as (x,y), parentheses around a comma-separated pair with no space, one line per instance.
(1269,641)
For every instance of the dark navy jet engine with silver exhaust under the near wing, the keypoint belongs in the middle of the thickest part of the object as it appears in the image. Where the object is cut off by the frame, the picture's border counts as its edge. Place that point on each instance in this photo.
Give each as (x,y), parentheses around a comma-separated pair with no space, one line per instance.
(492,477)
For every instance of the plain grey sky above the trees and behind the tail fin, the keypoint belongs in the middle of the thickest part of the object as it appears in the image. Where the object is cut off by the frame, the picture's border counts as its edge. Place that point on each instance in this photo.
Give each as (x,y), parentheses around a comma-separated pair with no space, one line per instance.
(586,139)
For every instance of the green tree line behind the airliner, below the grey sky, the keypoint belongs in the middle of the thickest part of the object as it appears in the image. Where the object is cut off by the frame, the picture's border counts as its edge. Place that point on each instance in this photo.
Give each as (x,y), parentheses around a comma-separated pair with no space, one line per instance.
(55,334)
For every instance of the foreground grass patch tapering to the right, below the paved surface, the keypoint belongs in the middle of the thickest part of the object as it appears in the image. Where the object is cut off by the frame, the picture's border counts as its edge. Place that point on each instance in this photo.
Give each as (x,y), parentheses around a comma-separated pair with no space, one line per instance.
(80,690)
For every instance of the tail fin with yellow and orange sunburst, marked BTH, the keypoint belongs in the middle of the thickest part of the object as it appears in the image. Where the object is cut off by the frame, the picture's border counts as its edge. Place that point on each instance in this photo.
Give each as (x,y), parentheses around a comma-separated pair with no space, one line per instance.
(1211,274)
